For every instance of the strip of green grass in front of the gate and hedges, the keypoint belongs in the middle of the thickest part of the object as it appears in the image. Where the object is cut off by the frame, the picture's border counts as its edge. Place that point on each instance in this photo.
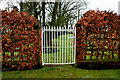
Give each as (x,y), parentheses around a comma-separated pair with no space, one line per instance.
(62,72)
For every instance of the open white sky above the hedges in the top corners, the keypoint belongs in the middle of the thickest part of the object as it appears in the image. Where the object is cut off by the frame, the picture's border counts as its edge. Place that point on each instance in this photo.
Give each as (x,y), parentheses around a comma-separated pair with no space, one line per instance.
(92,5)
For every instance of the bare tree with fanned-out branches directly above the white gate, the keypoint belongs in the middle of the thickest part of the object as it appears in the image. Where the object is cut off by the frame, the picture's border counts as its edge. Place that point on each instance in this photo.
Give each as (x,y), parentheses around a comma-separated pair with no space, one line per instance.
(65,12)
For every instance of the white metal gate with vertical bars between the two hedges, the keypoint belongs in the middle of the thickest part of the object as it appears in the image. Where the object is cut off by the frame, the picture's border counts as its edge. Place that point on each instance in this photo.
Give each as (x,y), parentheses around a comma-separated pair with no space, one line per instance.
(58,45)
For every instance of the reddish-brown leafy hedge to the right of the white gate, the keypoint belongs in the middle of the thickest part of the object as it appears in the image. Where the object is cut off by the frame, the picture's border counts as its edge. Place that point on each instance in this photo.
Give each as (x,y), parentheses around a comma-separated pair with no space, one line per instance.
(99,33)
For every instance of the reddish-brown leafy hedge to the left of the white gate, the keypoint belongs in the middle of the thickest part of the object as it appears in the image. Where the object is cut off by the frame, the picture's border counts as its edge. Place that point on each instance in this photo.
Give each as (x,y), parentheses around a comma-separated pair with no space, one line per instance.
(18,35)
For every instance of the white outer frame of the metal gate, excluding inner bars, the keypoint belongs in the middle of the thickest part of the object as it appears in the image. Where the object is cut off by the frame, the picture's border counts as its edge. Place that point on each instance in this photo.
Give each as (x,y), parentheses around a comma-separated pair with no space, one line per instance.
(74,45)
